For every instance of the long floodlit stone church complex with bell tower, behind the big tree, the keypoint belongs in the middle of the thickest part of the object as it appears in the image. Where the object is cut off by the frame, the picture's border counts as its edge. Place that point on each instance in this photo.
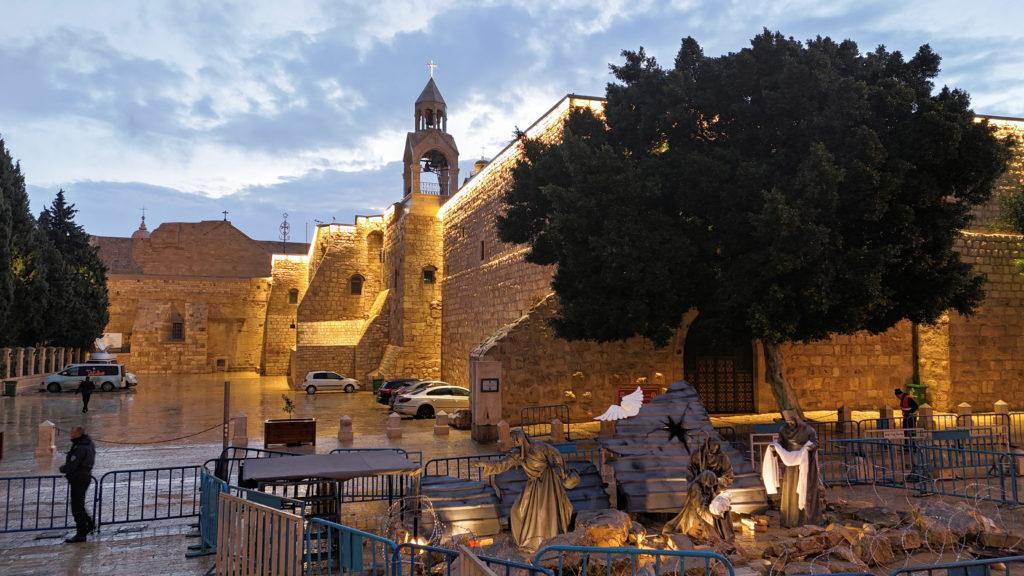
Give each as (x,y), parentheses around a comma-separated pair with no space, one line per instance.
(426,290)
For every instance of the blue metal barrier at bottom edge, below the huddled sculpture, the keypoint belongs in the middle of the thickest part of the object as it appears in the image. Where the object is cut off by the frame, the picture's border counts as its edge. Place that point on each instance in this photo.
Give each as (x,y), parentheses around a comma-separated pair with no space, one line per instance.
(578,561)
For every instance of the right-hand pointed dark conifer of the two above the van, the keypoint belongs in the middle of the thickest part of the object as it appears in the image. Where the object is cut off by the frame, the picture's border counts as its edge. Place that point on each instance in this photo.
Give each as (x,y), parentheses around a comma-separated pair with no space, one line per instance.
(77,311)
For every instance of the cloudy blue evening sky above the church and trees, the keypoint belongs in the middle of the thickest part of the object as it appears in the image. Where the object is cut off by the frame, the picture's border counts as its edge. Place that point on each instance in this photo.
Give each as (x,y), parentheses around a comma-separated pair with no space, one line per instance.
(190,109)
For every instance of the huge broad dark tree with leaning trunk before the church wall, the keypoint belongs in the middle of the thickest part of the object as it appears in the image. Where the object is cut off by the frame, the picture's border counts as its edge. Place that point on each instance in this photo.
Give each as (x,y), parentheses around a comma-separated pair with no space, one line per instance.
(788,192)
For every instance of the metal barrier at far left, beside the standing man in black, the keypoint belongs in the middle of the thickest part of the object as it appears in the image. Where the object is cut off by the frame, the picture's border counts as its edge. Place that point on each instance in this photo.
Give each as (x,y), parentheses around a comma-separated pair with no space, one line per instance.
(38,503)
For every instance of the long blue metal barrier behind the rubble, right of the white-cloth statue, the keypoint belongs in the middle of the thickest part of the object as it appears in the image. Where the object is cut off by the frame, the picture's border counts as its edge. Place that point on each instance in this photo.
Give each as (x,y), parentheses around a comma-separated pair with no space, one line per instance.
(912,465)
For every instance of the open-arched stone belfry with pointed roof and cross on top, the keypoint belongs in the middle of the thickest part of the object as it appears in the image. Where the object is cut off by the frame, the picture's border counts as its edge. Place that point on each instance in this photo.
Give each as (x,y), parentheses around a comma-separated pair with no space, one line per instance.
(432,159)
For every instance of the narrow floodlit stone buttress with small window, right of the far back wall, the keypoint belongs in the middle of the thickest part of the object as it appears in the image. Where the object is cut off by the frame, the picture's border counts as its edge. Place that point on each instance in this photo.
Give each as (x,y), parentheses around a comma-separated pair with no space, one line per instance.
(282,314)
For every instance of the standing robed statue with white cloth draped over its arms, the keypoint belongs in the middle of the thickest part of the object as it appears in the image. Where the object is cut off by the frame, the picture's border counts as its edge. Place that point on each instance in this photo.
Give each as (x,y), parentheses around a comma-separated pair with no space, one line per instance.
(796,454)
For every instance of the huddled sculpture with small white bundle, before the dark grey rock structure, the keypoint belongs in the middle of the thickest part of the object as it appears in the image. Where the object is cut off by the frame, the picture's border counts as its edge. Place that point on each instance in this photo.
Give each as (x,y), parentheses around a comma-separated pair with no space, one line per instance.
(706,512)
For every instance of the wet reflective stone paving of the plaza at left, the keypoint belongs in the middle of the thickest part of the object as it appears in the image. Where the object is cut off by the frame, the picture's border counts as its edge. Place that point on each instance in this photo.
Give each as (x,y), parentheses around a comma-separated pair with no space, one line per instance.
(130,430)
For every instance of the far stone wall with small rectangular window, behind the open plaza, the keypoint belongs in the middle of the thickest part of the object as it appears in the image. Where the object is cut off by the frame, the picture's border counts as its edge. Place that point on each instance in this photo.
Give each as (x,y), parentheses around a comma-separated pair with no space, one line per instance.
(233,312)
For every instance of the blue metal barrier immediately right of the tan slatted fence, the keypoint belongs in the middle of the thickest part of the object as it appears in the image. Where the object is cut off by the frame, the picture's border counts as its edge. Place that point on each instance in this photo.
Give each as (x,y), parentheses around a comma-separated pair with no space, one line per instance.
(332,549)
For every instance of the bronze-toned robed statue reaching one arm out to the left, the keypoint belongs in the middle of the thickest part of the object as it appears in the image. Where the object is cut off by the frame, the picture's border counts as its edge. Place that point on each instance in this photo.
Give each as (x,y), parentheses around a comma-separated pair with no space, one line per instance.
(544,510)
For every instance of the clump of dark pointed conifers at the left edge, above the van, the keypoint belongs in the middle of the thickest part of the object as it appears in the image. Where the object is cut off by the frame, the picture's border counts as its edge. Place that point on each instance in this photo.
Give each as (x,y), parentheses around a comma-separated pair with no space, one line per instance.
(53,283)
